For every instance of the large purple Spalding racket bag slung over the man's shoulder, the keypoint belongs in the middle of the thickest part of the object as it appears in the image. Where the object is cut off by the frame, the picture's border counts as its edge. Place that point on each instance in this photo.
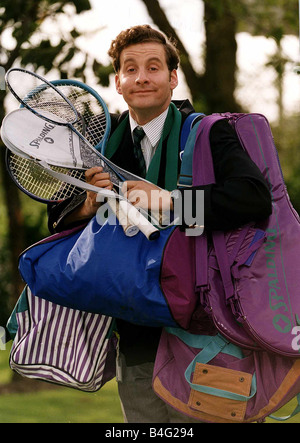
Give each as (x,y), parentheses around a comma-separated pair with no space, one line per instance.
(260,283)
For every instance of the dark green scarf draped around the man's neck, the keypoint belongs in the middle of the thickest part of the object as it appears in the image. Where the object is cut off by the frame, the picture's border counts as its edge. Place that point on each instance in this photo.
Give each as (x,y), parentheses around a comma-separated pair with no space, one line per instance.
(171,131)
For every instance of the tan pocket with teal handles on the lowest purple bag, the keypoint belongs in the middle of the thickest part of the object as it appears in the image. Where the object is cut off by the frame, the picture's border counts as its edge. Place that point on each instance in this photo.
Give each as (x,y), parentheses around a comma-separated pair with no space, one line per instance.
(218,391)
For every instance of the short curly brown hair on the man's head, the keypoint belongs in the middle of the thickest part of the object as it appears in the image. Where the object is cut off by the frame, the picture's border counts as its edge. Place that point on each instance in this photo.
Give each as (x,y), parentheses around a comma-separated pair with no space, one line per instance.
(143,34)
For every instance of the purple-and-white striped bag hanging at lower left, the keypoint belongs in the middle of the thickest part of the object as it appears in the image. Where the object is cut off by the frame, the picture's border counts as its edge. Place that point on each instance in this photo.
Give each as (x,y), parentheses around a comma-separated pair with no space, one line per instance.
(61,345)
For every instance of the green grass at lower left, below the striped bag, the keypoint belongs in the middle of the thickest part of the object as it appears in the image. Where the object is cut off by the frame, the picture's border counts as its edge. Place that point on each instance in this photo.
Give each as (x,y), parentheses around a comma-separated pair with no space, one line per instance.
(61,405)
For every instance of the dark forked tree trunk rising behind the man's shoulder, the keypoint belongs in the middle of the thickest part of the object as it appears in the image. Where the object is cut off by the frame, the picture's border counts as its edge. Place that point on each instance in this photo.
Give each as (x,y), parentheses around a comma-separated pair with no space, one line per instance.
(214,91)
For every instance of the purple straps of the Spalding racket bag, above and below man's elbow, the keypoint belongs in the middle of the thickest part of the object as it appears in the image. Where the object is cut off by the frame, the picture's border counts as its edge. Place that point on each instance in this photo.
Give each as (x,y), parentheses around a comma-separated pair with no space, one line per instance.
(203,174)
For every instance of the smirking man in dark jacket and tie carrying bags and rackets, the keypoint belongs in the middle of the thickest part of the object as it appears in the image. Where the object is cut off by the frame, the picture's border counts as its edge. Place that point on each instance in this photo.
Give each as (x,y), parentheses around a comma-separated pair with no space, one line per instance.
(146,74)
